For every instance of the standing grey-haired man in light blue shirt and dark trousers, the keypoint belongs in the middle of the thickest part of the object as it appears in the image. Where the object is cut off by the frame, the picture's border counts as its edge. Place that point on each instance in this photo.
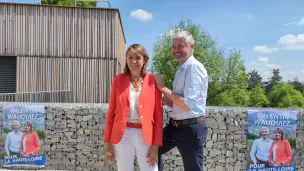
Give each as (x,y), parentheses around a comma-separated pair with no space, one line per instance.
(187,129)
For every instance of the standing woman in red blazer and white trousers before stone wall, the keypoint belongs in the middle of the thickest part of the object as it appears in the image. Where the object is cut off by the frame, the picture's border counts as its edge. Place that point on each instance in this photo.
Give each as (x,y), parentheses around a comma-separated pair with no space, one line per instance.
(135,116)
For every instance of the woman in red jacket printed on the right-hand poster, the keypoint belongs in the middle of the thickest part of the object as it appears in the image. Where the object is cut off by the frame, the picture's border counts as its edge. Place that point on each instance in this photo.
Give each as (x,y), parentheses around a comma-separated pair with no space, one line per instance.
(280,150)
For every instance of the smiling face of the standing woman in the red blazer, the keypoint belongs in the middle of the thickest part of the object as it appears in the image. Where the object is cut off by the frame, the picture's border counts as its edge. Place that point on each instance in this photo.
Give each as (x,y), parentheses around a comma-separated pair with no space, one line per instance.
(135,62)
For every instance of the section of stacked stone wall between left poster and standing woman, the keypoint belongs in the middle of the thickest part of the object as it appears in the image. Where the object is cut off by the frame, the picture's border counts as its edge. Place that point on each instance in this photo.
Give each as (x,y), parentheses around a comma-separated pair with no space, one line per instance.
(73,137)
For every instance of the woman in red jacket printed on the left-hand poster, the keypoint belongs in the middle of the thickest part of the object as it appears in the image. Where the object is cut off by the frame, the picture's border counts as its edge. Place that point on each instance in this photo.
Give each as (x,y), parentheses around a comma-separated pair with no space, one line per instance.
(29,144)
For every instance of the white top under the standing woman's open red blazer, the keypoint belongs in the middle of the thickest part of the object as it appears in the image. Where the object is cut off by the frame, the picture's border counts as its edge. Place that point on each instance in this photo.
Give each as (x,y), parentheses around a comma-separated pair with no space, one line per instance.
(134,112)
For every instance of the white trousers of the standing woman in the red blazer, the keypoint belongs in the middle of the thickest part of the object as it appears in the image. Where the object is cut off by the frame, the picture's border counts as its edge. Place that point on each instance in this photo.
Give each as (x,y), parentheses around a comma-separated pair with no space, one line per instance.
(132,143)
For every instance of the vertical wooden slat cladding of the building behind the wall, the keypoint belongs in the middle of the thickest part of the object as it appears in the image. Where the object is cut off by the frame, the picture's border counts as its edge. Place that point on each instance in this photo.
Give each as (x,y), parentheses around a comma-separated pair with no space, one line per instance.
(63,48)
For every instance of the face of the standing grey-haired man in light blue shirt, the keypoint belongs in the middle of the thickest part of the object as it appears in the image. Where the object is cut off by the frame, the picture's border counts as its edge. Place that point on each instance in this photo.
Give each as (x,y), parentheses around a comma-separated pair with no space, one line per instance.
(181,51)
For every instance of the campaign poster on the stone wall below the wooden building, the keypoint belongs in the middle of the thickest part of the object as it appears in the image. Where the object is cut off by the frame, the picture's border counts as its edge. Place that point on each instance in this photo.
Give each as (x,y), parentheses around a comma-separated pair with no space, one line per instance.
(23,135)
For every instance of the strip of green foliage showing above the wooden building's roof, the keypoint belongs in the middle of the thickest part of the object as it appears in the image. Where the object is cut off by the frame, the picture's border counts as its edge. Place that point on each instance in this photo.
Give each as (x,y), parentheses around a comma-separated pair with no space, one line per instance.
(69,3)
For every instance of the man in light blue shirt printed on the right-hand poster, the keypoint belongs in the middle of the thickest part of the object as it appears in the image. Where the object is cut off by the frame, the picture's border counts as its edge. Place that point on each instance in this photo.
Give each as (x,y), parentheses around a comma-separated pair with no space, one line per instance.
(261,148)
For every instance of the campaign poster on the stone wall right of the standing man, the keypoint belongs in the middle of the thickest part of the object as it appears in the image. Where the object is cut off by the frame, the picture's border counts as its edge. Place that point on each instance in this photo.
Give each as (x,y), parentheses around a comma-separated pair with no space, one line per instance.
(271,140)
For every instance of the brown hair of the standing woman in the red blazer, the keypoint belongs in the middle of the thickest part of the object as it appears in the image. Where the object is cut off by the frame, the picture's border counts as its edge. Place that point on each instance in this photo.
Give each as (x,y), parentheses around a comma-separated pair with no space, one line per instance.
(138,50)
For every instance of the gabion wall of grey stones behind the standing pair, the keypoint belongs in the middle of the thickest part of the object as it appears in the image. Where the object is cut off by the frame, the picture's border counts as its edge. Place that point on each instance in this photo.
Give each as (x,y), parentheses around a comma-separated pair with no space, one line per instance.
(74,139)
